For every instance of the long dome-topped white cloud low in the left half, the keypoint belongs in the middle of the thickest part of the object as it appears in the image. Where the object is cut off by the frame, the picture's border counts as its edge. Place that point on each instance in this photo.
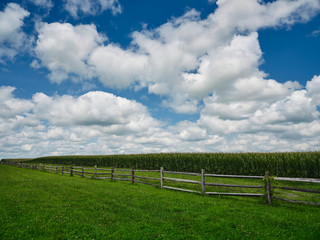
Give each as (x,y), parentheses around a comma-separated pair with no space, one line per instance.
(100,109)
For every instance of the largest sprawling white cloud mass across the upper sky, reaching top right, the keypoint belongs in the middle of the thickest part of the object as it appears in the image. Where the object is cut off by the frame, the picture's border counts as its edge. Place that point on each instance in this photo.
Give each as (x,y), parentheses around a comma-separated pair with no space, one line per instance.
(186,59)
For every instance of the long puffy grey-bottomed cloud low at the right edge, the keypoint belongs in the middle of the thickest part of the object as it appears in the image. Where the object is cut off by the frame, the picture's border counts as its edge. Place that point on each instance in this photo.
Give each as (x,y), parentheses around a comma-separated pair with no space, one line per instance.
(291,115)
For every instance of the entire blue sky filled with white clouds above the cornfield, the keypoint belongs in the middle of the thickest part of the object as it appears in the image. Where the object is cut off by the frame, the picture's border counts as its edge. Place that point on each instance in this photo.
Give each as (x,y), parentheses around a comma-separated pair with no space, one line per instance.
(121,76)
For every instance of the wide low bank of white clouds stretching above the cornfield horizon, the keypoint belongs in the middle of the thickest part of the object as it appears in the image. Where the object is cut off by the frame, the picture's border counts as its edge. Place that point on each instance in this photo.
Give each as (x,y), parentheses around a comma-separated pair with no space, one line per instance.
(102,123)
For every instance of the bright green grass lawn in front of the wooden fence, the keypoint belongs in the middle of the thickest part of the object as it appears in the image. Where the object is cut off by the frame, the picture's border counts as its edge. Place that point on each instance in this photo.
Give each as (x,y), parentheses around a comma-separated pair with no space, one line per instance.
(40,205)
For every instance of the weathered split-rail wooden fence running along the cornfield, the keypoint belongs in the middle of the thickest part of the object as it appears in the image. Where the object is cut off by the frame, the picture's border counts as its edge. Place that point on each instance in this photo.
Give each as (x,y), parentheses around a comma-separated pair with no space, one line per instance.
(131,175)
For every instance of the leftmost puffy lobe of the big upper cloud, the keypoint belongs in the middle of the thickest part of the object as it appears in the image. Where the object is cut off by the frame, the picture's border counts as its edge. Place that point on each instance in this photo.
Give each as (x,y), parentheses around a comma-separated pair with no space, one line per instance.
(64,49)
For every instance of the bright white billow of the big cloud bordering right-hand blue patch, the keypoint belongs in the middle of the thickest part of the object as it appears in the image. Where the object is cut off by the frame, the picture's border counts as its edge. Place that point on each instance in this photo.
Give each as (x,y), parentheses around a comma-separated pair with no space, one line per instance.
(222,67)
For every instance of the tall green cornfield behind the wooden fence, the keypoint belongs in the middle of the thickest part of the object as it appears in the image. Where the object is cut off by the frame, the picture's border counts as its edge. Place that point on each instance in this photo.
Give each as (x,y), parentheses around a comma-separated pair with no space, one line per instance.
(294,164)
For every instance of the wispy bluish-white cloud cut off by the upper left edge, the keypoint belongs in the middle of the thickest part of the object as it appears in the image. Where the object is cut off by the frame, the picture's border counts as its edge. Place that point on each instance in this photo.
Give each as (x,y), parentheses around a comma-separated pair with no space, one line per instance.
(12,38)
